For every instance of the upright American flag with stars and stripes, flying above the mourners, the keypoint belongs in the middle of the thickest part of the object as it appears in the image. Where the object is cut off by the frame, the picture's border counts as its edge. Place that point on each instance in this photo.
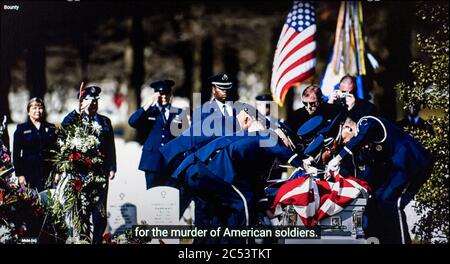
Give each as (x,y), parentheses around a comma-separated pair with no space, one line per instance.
(295,55)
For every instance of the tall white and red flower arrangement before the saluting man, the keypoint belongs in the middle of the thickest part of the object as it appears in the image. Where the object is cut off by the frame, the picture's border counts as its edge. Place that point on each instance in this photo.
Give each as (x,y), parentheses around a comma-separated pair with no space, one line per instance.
(82,178)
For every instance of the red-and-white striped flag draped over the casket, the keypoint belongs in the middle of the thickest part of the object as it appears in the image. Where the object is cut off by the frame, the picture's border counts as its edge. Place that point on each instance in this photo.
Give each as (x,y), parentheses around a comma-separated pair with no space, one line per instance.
(314,200)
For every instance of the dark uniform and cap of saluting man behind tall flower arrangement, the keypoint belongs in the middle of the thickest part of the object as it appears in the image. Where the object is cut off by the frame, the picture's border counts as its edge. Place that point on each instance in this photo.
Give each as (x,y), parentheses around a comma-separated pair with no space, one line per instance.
(108,149)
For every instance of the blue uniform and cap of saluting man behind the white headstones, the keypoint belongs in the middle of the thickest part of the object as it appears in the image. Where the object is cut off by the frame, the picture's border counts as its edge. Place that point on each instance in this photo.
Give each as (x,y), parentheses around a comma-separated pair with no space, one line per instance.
(159,133)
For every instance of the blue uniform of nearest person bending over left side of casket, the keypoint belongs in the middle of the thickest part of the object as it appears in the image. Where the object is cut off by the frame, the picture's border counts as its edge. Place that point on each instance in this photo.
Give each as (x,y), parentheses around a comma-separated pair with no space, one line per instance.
(227,174)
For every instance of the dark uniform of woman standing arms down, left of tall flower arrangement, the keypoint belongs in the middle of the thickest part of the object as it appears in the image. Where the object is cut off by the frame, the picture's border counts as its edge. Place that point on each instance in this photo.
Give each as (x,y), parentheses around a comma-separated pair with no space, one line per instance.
(32,152)
